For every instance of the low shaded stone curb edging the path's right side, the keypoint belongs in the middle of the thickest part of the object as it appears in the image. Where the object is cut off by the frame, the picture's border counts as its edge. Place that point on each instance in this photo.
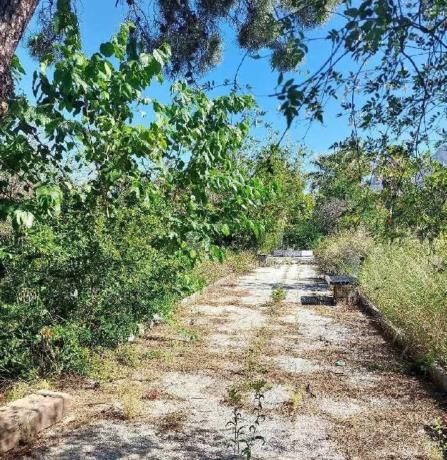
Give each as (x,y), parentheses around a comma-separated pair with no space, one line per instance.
(437,373)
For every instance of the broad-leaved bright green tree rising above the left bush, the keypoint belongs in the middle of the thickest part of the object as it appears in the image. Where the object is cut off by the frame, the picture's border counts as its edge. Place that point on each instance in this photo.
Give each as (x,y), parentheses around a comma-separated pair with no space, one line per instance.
(80,139)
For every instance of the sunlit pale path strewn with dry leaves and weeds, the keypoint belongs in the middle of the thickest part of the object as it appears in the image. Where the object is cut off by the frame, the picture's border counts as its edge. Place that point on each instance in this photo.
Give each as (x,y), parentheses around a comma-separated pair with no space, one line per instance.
(332,388)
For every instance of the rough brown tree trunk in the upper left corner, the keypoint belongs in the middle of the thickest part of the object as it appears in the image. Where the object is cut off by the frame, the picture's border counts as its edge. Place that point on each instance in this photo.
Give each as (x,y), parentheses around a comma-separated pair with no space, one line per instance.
(14,17)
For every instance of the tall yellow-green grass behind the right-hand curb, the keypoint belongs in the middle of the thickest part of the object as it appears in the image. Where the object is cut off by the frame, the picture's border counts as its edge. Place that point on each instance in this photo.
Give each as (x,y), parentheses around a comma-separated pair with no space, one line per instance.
(407,280)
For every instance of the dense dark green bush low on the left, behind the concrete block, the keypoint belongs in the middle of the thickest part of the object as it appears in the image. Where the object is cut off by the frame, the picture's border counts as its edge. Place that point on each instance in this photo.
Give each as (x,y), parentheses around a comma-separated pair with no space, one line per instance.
(82,281)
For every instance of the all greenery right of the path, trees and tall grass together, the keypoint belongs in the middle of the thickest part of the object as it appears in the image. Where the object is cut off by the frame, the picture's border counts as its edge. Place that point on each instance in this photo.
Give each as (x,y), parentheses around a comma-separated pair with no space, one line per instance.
(385,214)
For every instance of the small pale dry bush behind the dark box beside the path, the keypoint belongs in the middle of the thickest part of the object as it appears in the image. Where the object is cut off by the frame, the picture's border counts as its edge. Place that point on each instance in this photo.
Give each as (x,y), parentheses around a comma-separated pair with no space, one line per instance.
(343,253)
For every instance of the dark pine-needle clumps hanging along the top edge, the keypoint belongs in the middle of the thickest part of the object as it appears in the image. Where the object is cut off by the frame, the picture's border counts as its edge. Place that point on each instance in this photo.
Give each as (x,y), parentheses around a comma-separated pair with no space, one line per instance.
(195,28)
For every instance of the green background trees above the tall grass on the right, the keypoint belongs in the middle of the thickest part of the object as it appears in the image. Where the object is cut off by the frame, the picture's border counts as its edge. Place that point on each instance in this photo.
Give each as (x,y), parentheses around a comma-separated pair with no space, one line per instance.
(390,192)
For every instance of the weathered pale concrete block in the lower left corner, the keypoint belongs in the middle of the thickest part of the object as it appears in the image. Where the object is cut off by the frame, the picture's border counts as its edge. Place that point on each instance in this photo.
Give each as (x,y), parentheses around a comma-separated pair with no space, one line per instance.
(23,419)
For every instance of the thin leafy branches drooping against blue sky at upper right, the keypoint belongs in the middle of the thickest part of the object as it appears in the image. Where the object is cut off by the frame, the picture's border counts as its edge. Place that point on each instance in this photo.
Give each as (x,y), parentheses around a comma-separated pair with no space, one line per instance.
(388,60)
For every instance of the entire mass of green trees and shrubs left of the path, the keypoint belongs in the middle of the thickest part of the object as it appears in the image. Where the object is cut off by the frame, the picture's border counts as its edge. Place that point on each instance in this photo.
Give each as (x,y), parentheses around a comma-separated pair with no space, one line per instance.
(106,221)
